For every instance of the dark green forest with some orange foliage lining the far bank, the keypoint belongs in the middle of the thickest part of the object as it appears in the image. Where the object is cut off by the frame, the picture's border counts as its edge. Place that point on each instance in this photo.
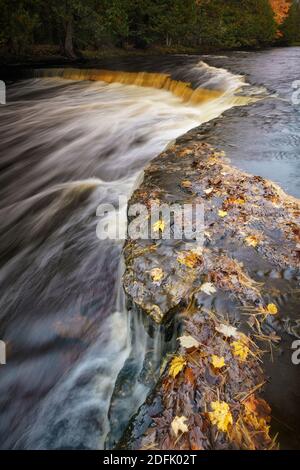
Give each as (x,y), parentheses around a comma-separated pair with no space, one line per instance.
(75,26)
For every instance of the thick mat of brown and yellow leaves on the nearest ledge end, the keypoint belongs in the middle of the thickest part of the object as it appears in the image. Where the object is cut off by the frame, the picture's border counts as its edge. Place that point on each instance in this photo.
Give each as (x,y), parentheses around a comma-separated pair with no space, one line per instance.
(209,393)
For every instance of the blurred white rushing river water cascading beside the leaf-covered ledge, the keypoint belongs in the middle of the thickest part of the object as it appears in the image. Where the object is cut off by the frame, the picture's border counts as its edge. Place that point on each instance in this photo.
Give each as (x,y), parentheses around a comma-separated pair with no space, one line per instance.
(68,145)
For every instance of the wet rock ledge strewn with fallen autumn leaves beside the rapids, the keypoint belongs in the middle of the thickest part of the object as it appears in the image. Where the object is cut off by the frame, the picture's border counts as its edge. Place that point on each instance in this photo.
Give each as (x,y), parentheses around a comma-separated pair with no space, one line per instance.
(228,295)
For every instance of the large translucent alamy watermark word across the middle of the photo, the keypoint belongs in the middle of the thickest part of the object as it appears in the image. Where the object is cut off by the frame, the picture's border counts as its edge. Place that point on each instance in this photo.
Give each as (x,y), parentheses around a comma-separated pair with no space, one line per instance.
(152,221)
